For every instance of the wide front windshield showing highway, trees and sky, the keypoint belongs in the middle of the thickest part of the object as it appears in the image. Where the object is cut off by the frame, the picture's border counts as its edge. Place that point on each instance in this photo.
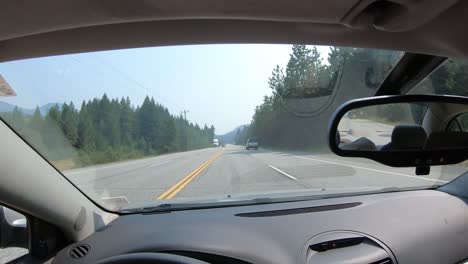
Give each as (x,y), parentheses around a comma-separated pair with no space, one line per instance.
(139,128)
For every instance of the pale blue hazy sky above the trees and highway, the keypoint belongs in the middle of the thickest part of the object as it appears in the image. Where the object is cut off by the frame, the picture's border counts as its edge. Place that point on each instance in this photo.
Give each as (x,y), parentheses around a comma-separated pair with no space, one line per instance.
(218,84)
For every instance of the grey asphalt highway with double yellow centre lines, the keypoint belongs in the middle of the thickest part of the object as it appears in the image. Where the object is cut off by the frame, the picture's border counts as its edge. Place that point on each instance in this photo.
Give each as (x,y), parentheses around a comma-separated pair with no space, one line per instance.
(223,172)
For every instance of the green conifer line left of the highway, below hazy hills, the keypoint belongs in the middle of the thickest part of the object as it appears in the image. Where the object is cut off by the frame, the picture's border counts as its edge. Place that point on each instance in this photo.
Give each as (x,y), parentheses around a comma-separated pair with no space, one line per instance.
(104,130)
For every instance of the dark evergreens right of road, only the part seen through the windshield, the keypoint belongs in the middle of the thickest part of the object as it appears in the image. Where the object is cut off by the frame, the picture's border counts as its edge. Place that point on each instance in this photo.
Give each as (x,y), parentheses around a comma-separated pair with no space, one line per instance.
(306,76)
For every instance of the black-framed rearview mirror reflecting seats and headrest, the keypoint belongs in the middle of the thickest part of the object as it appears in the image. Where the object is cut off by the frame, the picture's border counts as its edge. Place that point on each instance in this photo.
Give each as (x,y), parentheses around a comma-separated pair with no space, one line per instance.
(401,131)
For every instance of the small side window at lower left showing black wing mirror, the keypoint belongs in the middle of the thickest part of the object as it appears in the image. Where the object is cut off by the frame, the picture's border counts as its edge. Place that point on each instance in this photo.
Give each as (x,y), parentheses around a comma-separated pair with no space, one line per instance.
(13,235)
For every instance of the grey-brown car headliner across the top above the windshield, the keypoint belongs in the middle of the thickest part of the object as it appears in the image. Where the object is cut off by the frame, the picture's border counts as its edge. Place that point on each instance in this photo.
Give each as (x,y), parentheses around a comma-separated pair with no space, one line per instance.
(32,28)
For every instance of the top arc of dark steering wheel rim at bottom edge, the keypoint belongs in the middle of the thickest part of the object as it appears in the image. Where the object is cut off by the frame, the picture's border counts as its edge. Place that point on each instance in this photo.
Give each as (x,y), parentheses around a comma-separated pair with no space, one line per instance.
(147,258)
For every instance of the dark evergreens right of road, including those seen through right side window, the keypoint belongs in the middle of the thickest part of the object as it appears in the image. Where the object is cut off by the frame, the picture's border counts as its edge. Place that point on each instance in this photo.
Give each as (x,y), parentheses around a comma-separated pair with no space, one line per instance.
(306,76)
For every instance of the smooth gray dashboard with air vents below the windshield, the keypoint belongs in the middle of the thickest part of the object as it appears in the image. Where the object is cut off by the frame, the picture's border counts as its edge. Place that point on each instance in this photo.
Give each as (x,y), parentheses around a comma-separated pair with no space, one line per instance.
(426,226)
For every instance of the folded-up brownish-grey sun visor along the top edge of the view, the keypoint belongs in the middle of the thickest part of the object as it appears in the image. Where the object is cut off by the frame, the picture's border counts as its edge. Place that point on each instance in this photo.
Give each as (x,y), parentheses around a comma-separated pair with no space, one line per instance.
(31,17)
